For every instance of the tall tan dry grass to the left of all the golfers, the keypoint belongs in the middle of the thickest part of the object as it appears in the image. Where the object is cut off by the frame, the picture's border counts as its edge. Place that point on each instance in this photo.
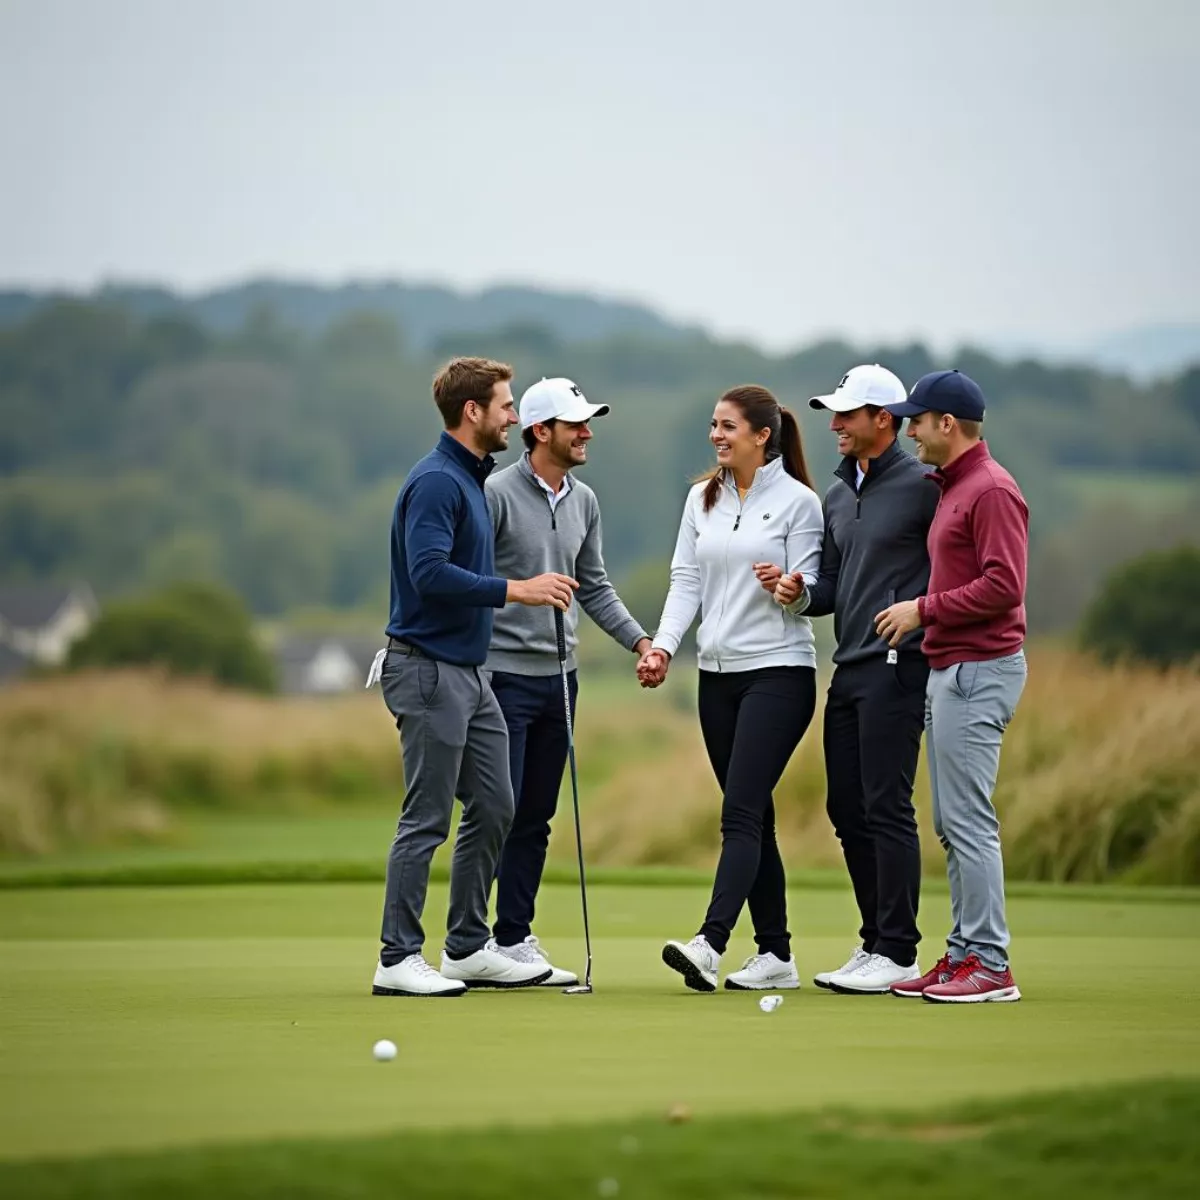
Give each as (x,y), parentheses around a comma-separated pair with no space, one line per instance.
(109,757)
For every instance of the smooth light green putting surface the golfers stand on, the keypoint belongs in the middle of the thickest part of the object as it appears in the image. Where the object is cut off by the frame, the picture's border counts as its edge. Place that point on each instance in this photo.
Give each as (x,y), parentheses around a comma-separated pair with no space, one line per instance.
(142,1018)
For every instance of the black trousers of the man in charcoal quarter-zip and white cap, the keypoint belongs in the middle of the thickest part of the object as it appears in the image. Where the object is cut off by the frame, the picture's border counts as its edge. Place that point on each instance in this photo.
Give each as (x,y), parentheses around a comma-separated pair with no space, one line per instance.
(873,724)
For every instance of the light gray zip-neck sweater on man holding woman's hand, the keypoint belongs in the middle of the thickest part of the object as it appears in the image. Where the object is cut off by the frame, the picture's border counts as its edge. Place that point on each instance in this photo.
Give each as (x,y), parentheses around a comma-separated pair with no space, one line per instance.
(532,539)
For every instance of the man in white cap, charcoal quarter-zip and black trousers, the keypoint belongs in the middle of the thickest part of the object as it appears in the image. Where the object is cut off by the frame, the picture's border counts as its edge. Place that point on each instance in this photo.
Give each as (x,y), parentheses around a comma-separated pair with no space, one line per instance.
(878,515)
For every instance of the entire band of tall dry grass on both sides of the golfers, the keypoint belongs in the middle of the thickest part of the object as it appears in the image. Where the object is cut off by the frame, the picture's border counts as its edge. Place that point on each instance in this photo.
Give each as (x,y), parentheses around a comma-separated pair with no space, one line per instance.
(1100,781)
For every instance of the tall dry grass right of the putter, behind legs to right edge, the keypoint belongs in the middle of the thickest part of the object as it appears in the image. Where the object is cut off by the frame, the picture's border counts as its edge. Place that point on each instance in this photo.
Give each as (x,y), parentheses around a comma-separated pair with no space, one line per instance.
(1100,781)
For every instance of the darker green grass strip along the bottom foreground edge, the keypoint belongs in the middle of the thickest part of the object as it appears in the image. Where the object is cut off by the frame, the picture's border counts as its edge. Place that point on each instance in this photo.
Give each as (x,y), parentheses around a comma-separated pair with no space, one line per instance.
(1135,1141)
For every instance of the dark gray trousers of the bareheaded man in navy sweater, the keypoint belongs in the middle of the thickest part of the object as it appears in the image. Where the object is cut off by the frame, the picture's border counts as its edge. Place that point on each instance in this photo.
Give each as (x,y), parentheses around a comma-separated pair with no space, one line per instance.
(455,745)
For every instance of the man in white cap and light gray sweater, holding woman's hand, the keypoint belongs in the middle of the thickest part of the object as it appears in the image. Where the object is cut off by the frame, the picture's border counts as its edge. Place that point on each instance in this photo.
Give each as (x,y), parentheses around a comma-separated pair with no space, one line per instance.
(544,519)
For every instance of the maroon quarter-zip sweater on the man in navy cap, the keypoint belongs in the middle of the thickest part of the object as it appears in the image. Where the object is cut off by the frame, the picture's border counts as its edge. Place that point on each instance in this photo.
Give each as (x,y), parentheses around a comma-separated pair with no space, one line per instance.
(979,548)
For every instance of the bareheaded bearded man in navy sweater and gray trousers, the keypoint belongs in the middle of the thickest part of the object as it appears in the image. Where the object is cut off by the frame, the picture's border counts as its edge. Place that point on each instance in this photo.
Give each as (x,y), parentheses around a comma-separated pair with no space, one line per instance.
(445,589)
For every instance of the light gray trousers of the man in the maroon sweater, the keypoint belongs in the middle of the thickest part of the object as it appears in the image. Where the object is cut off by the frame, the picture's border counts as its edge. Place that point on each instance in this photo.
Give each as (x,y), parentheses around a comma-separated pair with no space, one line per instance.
(968,709)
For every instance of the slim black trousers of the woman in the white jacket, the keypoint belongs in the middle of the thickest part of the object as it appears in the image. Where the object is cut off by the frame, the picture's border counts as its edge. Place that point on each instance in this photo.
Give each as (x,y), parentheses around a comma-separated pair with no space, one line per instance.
(752,721)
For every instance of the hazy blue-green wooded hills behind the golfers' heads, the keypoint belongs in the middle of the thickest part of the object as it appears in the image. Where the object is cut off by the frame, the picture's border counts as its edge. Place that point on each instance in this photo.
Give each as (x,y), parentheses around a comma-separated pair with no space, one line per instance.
(143,449)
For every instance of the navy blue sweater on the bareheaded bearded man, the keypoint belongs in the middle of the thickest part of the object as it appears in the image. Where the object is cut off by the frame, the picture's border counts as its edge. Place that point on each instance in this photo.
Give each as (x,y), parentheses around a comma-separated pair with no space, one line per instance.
(443,557)
